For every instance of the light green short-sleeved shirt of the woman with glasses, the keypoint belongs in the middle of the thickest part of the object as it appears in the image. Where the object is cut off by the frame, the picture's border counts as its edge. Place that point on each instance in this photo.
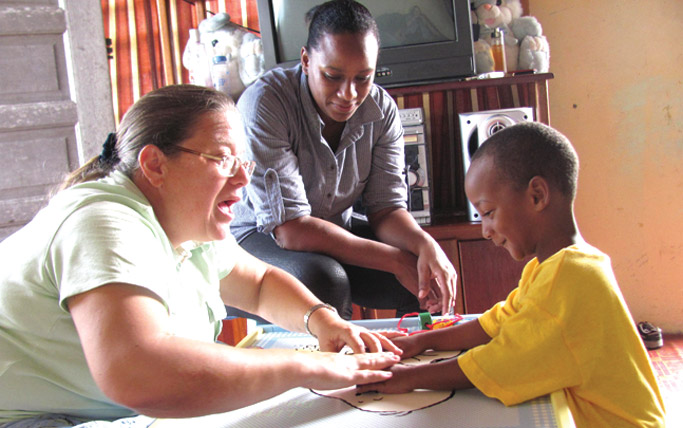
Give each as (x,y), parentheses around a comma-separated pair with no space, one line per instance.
(92,234)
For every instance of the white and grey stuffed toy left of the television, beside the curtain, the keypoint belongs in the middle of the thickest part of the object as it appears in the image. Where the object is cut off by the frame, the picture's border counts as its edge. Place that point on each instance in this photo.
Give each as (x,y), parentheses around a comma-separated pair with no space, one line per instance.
(243,50)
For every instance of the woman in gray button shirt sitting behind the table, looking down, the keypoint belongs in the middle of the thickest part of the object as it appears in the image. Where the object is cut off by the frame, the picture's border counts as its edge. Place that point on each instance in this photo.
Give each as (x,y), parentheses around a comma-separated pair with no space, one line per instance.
(323,136)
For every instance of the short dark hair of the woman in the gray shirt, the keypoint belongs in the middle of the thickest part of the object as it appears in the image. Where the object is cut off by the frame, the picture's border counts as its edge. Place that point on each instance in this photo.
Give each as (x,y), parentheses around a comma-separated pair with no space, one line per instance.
(338,17)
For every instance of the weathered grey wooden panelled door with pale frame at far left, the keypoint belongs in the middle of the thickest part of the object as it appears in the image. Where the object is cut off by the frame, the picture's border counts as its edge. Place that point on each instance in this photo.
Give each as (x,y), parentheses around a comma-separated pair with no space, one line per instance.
(55,102)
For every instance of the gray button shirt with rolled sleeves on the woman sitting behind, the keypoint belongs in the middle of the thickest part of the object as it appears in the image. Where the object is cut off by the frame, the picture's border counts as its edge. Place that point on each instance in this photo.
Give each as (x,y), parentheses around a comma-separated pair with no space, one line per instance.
(298,174)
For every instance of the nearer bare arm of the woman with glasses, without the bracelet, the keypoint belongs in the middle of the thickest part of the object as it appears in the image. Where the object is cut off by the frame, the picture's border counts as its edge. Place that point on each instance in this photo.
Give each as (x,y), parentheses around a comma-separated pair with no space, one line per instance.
(137,362)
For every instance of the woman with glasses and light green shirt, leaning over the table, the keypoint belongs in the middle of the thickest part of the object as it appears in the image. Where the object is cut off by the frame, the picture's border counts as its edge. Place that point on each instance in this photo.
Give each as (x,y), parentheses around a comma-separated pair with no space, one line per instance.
(111,298)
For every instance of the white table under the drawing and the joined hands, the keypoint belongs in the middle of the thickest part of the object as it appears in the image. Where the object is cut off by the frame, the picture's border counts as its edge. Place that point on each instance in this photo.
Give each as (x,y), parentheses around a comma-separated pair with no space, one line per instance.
(303,408)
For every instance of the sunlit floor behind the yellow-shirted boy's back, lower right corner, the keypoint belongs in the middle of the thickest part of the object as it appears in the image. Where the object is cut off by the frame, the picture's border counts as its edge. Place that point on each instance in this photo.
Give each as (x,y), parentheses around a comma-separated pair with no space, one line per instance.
(668,364)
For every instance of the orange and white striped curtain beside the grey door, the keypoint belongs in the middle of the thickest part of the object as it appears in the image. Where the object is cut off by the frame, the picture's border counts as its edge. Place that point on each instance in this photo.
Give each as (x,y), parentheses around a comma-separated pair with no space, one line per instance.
(146,39)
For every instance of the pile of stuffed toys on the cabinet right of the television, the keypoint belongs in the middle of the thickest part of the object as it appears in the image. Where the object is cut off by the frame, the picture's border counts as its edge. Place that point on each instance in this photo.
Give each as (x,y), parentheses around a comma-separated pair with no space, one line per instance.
(526,48)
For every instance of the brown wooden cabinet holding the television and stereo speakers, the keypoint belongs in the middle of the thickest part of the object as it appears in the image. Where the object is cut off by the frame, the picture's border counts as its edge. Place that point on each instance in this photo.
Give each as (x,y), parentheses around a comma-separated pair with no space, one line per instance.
(486,273)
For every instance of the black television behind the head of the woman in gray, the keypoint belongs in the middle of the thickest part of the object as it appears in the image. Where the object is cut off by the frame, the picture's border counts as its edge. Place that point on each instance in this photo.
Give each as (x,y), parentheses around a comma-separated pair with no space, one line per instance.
(421,41)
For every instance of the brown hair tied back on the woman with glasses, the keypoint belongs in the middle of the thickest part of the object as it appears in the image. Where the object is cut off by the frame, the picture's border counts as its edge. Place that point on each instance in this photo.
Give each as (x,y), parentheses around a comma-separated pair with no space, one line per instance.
(164,117)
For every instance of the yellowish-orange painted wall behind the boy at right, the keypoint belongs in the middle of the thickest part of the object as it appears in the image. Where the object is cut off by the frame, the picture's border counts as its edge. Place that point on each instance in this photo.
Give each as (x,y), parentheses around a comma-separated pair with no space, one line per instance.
(617,95)
